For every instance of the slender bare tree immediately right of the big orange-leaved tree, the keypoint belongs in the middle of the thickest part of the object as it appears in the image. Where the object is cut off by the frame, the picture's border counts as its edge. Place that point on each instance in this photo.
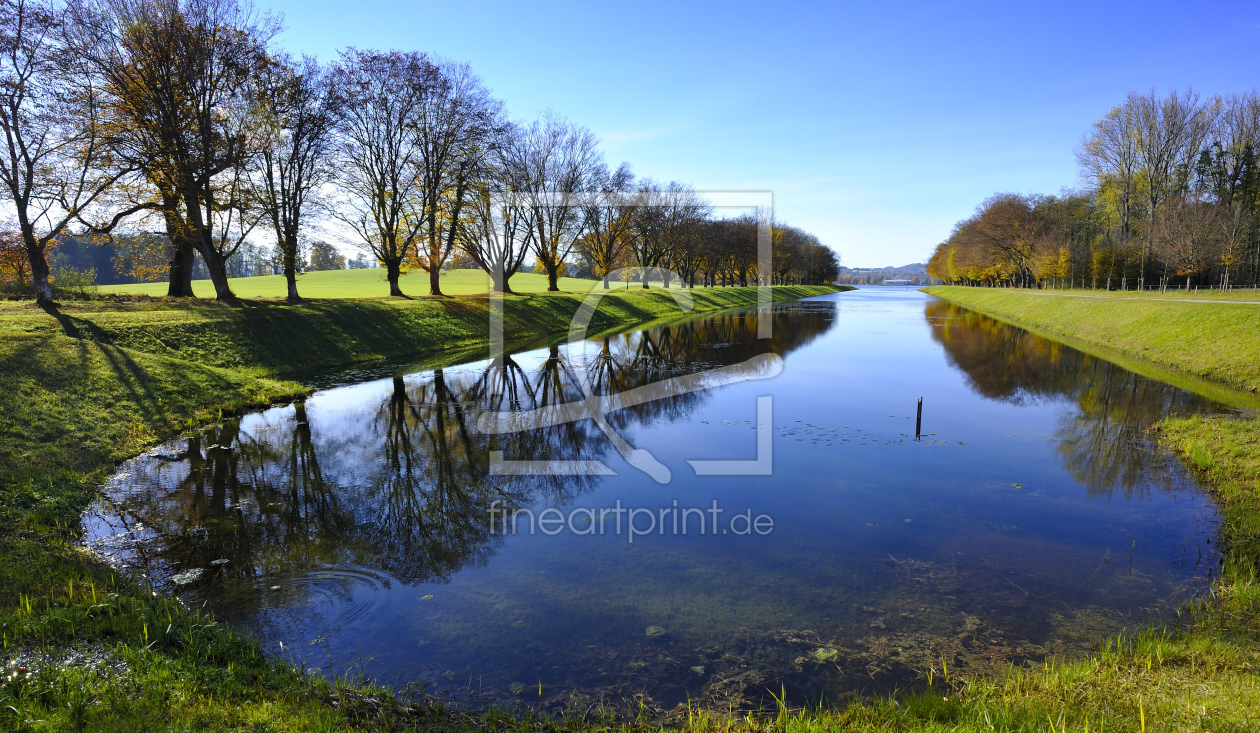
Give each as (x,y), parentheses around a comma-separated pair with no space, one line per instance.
(295,106)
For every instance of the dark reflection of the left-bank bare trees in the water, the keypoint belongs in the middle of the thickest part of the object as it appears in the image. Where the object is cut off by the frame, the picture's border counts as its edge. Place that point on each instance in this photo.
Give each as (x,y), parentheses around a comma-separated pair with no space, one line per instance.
(400,484)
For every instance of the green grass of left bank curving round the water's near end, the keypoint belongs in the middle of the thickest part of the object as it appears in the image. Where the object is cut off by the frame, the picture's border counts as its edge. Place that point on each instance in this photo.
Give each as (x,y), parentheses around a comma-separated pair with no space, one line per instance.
(100,381)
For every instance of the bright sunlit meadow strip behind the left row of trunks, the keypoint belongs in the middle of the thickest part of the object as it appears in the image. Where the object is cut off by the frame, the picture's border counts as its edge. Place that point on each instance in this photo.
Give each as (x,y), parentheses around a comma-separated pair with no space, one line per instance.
(358,284)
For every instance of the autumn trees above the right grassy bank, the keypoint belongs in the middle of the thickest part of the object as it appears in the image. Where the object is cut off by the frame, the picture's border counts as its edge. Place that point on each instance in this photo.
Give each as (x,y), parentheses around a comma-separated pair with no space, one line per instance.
(1174,201)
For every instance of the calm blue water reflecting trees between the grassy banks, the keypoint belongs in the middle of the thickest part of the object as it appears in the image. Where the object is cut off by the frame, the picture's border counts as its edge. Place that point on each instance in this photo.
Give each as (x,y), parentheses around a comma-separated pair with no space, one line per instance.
(353,533)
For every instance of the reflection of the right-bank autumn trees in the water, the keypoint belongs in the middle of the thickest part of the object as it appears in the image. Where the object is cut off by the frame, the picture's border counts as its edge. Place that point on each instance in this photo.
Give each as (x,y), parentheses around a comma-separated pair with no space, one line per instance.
(1104,441)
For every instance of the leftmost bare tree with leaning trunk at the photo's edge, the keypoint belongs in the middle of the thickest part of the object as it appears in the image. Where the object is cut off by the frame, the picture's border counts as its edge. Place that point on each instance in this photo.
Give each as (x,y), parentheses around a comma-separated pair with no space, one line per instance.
(57,167)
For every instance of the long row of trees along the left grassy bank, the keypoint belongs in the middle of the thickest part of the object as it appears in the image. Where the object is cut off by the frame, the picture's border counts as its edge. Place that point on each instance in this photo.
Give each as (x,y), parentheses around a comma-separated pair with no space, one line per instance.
(180,118)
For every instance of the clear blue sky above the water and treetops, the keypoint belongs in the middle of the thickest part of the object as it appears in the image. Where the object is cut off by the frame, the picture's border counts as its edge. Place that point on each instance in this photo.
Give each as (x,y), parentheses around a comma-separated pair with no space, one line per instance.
(876,125)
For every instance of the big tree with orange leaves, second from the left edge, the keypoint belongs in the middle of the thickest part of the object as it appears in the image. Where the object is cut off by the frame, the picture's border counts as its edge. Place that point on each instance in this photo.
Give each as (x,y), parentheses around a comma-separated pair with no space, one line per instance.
(180,75)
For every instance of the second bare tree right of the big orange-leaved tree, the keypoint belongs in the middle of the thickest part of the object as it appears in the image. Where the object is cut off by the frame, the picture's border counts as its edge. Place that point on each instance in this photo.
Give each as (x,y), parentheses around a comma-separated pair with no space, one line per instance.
(380,96)
